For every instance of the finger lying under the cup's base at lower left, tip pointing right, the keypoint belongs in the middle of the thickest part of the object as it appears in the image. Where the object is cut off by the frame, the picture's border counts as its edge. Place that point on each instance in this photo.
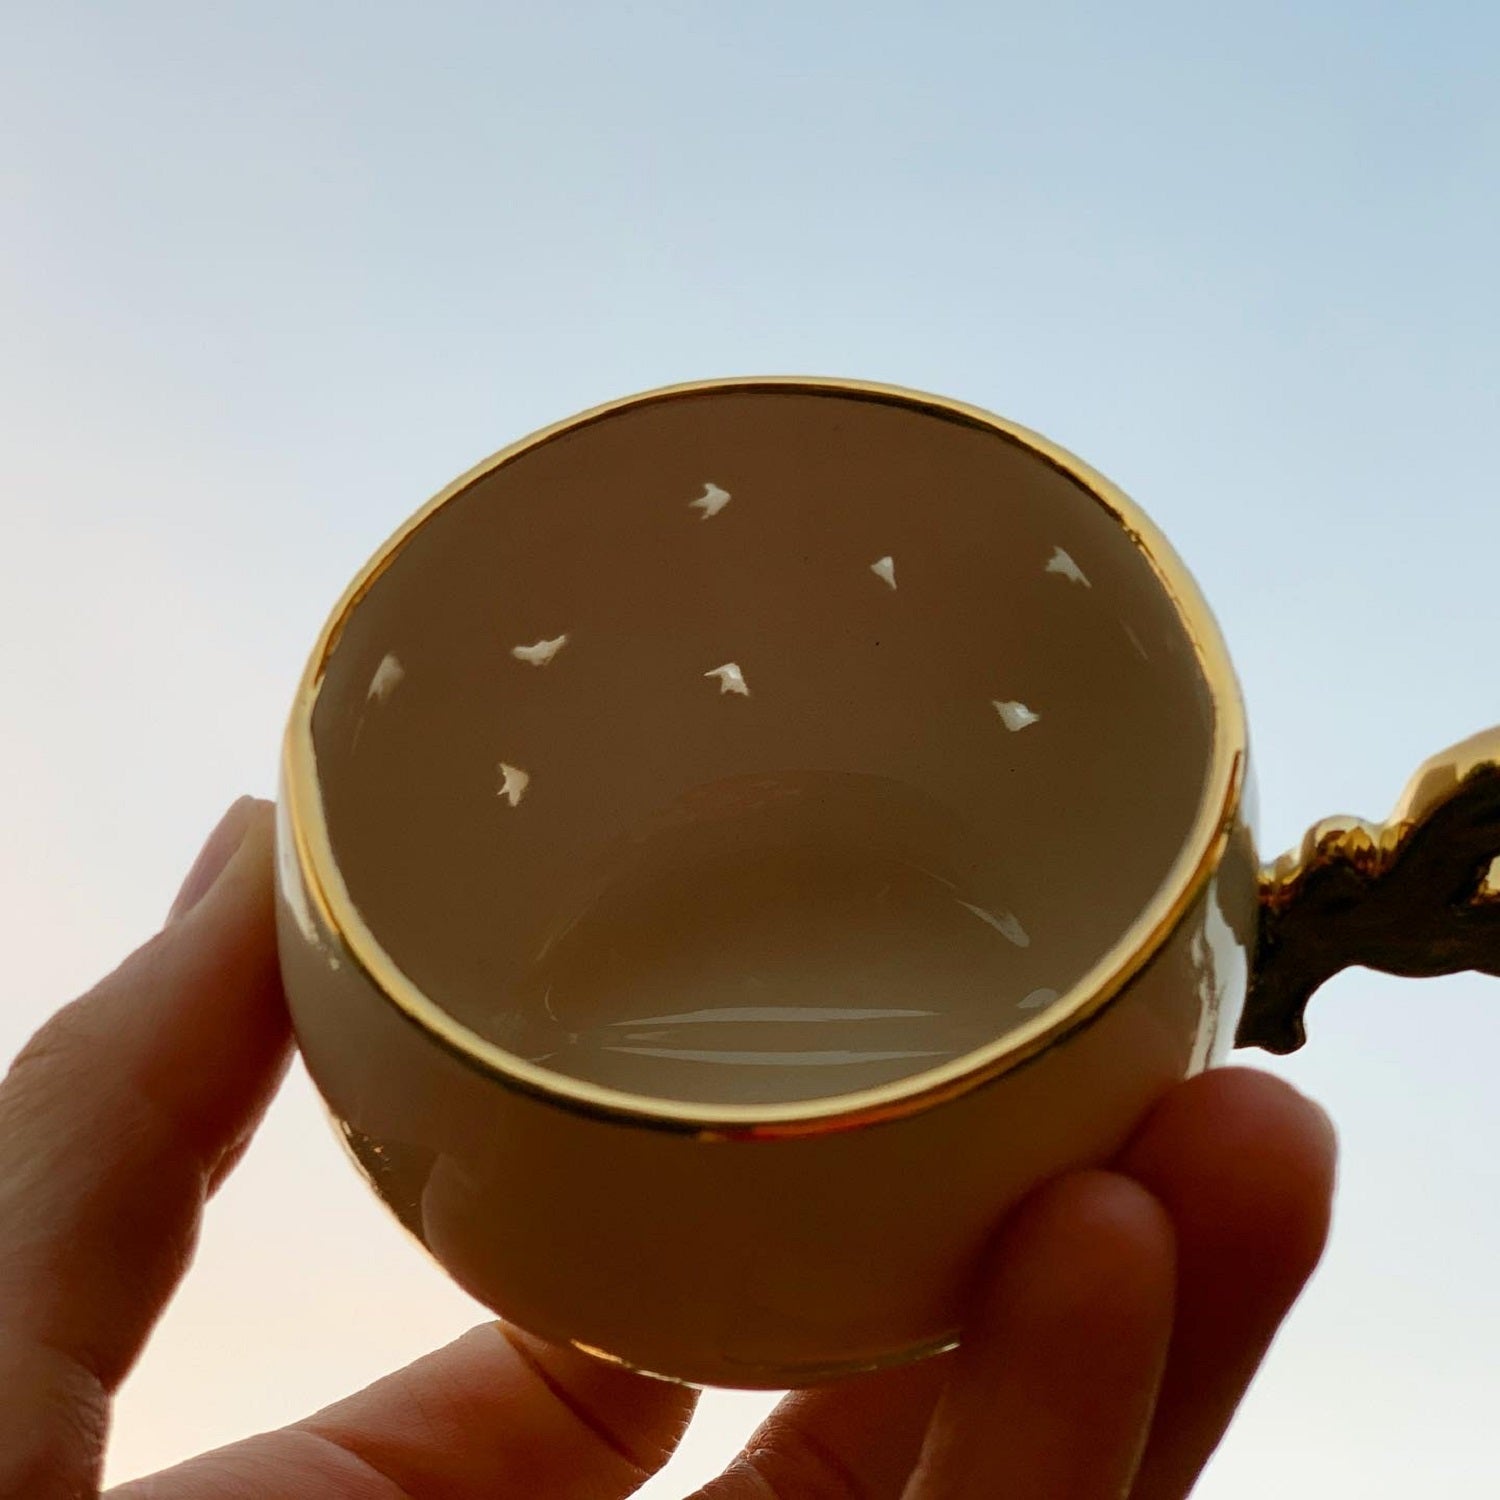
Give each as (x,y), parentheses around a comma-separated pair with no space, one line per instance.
(496,1414)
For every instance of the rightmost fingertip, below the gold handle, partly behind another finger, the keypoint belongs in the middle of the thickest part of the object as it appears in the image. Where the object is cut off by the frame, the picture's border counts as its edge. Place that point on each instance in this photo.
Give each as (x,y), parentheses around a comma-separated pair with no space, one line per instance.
(1246,1168)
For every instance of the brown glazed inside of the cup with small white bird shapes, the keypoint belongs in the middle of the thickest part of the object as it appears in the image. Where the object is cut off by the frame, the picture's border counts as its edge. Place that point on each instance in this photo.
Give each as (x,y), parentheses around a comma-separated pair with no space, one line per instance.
(760,745)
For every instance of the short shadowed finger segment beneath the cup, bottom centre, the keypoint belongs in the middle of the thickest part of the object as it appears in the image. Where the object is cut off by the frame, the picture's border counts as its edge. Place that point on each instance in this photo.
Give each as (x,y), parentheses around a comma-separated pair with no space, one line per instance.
(860,1438)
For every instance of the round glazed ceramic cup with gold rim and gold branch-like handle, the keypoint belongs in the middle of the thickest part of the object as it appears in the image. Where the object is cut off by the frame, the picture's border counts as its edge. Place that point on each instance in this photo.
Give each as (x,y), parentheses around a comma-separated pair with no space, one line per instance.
(737,842)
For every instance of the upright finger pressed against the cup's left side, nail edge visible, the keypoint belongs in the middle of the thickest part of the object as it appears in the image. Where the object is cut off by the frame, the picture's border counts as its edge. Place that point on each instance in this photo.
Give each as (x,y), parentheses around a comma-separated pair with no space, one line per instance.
(115,1121)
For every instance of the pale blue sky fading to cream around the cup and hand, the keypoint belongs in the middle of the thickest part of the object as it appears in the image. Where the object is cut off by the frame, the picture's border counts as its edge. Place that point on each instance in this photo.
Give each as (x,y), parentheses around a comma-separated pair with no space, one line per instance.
(274,274)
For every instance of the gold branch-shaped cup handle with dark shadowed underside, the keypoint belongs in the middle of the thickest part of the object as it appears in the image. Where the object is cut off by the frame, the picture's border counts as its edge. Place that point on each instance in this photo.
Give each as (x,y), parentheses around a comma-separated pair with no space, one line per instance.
(1418,895)
